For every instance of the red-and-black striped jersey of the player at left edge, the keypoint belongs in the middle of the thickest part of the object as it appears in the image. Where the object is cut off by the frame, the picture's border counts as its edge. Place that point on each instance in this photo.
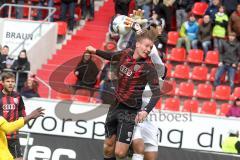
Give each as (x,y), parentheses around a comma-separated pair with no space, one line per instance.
(12,107)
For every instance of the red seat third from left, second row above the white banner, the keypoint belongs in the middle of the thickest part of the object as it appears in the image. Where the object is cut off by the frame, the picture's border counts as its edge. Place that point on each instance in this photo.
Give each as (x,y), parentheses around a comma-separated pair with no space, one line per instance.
(204,91)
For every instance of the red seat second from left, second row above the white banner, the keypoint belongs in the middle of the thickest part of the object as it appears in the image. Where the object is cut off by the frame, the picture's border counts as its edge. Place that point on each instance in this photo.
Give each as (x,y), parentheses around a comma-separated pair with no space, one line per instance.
(186,89)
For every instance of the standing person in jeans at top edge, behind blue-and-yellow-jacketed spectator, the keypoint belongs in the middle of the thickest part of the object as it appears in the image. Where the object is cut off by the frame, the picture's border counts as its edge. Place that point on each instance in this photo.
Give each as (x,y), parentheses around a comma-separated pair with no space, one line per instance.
(182,9)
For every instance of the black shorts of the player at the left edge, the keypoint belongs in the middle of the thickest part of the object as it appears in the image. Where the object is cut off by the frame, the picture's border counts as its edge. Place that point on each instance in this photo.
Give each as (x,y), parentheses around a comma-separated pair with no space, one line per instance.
(15,148)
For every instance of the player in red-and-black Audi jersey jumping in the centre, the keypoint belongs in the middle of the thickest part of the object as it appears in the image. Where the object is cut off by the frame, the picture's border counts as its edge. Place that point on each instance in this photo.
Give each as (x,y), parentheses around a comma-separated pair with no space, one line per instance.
(135,71)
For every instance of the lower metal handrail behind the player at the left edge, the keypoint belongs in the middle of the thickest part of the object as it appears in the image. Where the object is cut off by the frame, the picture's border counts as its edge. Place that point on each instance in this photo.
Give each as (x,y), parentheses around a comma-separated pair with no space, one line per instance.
(28,72)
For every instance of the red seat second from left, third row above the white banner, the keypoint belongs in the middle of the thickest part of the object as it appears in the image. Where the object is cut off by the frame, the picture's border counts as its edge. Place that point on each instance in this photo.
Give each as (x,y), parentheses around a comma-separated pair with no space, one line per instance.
(181,72)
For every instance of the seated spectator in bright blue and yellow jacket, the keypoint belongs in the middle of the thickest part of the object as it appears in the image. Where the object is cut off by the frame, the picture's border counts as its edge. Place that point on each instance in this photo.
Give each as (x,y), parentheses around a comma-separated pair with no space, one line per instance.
(188,33)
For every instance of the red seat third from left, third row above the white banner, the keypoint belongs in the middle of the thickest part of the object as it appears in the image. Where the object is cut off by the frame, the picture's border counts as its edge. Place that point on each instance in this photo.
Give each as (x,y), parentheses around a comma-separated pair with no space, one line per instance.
(199,73)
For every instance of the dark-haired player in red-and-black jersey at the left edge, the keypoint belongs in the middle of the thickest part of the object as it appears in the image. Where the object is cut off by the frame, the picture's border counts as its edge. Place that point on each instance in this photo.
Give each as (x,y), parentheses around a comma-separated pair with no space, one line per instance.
(11,108)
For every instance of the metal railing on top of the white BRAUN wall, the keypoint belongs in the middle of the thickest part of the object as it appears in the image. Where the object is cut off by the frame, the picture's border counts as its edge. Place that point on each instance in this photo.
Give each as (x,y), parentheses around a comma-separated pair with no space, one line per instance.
(51,11)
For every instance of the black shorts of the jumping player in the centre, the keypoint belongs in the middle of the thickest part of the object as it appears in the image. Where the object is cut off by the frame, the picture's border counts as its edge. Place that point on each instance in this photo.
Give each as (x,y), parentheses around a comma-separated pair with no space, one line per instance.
(120,122)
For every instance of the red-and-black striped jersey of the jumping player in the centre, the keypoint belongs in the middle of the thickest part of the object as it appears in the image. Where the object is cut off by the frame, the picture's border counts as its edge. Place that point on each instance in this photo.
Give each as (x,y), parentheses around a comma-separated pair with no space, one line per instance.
(133,76)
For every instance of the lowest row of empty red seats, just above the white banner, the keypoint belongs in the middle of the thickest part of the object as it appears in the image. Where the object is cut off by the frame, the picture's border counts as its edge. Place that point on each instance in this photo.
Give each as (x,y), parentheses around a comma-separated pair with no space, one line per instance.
(208,107)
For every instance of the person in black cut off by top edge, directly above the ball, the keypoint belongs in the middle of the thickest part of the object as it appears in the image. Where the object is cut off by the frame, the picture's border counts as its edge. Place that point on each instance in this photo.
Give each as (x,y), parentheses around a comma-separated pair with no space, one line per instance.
(122,7)
